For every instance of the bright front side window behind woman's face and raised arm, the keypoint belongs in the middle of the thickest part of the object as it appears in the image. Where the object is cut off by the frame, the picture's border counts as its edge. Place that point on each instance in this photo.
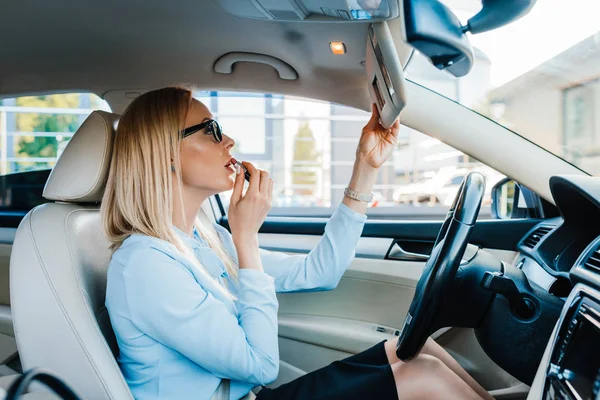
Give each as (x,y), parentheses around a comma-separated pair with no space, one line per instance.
(309,149)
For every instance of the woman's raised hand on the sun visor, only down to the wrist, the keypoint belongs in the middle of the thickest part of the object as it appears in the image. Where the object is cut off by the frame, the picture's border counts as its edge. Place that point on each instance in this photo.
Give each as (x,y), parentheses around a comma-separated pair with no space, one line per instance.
(376,143)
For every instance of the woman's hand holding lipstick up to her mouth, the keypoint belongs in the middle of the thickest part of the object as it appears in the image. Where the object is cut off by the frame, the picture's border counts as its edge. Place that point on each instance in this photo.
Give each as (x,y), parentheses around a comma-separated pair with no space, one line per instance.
(247,212)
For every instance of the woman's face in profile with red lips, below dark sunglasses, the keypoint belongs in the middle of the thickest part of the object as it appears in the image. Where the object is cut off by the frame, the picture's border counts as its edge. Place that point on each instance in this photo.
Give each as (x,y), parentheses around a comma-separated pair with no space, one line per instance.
(204,160)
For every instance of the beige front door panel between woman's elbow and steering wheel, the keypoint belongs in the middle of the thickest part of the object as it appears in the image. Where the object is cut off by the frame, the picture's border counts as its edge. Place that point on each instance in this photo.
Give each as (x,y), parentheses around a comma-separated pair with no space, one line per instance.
(318,328)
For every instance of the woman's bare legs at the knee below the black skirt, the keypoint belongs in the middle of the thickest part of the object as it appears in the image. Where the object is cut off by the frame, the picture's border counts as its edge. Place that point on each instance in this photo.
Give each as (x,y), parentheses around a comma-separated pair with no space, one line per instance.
(428,378)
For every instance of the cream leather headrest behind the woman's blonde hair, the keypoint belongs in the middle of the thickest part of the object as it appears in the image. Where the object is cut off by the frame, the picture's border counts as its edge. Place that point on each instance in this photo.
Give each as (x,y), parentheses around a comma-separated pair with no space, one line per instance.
(81,172)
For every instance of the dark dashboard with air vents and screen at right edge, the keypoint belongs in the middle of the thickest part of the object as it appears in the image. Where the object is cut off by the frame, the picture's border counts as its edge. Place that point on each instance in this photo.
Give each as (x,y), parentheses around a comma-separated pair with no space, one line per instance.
(562,255)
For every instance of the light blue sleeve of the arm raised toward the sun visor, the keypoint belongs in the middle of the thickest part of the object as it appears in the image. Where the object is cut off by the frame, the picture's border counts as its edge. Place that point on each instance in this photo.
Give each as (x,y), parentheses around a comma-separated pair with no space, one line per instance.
(323,267)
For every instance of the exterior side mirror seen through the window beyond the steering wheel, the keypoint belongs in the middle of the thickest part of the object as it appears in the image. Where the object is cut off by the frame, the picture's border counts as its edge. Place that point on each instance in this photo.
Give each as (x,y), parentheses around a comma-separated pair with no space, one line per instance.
(511,200)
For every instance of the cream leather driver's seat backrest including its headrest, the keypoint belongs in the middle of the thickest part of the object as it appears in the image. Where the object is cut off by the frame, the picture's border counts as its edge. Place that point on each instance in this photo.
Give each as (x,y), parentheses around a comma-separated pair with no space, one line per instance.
(58,271)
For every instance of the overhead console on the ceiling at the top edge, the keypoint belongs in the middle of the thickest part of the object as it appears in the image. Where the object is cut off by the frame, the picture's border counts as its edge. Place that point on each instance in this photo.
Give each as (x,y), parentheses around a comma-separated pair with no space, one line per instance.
(313,10)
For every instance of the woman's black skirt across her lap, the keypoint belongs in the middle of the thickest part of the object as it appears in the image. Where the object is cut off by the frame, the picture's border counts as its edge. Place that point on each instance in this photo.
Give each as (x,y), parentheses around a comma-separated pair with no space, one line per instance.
(365,375)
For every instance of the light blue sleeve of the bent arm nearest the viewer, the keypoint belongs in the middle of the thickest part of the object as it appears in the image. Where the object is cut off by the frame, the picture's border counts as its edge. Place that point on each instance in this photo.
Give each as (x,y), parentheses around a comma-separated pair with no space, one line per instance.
(168,304)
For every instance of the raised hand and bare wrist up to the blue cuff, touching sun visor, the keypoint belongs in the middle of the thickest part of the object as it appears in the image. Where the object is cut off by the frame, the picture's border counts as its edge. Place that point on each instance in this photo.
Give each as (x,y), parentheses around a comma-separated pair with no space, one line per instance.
(374,147)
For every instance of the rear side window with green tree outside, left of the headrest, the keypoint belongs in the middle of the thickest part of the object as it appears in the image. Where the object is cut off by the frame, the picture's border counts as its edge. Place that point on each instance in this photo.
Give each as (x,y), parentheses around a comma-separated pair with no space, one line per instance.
(34,130)
